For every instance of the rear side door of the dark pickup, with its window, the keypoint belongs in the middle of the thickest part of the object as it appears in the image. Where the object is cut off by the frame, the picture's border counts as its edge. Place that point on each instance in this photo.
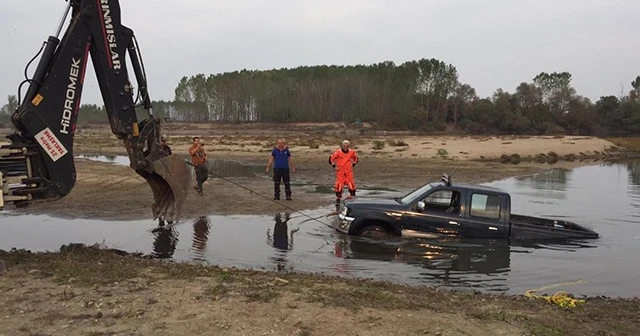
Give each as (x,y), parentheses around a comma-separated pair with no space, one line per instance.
(485,216)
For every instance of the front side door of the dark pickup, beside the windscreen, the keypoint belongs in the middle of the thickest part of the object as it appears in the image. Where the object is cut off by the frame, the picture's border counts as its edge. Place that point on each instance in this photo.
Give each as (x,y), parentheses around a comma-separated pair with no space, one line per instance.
(439,215)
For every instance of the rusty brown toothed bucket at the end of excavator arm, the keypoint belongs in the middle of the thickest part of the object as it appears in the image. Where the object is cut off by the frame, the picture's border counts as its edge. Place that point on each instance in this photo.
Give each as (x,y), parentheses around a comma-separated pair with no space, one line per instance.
(169,182)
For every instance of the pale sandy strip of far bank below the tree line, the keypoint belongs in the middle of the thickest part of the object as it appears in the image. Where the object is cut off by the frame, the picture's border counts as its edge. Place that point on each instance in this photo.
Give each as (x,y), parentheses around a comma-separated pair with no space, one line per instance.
(321,139)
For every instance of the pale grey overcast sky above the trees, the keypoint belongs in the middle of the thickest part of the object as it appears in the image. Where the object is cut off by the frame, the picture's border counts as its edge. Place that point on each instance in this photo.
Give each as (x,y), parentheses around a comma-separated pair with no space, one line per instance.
(493,43)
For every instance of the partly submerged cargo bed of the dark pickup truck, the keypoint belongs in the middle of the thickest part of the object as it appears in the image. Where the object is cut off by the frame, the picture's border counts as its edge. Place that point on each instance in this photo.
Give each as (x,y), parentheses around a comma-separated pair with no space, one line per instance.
(529,227)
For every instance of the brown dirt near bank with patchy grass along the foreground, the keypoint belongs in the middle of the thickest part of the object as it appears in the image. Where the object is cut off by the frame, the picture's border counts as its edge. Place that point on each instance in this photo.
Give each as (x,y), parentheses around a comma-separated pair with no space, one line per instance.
(93,292)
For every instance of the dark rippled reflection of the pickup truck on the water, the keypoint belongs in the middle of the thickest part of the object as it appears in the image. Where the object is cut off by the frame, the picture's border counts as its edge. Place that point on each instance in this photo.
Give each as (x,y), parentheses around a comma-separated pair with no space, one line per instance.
(449,262)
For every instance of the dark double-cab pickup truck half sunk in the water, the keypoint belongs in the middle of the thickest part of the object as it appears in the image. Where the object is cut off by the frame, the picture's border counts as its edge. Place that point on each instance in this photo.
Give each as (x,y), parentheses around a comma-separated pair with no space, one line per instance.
(442,208)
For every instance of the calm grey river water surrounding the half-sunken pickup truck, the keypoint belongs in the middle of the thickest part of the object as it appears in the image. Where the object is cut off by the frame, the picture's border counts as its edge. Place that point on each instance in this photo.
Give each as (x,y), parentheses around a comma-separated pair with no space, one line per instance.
(604,197)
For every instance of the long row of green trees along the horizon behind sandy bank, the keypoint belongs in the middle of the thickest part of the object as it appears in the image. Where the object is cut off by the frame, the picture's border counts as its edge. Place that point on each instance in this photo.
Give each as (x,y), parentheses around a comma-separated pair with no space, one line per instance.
(424,96)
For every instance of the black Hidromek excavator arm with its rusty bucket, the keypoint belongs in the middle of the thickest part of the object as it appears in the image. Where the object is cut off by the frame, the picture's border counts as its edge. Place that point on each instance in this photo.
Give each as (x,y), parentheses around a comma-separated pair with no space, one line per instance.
(37,164)
